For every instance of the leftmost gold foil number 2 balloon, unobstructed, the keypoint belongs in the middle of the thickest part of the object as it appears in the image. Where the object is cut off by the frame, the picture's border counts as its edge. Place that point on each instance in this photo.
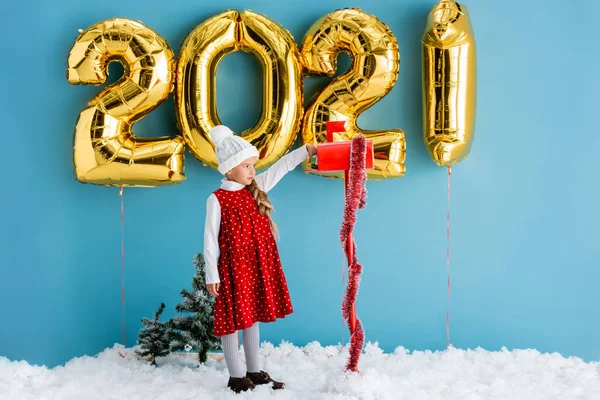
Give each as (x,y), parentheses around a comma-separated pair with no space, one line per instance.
(105,150)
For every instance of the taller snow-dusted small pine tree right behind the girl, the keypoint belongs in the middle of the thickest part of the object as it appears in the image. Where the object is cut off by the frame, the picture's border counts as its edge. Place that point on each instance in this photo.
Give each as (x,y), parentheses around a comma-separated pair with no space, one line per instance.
(194,325)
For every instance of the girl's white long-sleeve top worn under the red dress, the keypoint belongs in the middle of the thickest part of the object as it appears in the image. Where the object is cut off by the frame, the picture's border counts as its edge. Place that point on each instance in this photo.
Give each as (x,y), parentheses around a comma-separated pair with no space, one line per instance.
(265,181)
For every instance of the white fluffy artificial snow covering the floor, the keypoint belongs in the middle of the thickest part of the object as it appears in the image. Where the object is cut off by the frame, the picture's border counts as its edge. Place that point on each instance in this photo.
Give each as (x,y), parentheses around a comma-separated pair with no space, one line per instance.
(312,372)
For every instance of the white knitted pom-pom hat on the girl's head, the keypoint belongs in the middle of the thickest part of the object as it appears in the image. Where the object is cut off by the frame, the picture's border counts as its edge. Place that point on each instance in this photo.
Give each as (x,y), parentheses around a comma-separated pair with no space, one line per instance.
(231,149)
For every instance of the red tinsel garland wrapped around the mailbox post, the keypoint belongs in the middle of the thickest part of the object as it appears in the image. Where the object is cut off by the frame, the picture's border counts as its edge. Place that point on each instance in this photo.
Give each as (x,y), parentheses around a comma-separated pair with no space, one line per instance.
(356,194)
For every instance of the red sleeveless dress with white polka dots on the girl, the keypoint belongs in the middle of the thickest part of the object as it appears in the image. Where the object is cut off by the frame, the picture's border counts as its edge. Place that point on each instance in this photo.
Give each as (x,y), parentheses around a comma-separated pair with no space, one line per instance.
(253,286)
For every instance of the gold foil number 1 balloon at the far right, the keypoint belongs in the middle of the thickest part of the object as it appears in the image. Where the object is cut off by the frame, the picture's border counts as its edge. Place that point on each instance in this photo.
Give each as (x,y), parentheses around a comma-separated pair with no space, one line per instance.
(449,83)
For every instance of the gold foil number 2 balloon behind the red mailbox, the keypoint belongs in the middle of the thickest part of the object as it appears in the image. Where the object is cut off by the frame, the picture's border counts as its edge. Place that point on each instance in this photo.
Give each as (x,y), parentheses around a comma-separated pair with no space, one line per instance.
(374,71)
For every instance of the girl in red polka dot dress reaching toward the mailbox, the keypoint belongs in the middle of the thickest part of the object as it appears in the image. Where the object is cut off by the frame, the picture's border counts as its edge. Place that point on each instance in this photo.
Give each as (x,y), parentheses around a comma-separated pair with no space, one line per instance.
(243,269)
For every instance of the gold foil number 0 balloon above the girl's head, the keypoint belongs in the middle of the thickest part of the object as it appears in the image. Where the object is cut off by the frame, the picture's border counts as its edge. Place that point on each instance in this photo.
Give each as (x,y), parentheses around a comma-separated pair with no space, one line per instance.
(282,103)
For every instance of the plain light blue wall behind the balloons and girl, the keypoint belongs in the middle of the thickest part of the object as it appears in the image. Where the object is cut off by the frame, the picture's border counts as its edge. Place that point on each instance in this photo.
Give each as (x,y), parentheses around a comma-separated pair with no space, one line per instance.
(525,203)
